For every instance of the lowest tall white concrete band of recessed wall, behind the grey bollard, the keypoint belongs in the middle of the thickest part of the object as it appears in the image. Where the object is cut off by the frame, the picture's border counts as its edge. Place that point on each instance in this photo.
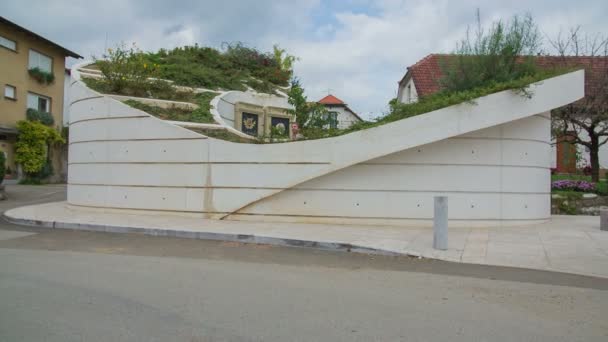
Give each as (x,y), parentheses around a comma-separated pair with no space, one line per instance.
(394,204)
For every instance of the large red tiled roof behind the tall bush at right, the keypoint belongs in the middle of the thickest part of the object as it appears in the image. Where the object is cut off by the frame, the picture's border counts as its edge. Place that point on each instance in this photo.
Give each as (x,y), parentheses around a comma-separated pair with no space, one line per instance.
(427,72)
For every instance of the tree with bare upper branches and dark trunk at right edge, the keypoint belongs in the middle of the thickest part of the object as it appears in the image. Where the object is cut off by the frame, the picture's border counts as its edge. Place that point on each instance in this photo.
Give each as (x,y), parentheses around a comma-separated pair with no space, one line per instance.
(585,121)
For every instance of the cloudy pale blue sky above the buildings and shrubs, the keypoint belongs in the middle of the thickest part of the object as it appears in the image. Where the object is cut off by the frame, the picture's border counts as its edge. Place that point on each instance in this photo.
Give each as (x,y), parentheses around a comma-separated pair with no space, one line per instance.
(357,50)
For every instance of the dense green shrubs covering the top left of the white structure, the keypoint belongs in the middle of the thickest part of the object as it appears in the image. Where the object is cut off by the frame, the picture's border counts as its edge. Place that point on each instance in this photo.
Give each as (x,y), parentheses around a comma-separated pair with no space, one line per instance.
(234,67)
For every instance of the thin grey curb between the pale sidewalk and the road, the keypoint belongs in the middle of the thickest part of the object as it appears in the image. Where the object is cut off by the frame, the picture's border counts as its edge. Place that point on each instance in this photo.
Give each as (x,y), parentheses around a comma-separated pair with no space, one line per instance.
(242,238)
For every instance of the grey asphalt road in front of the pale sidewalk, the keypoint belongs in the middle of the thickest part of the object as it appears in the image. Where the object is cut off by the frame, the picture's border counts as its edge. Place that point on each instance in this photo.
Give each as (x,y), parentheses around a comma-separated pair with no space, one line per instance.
(62,285)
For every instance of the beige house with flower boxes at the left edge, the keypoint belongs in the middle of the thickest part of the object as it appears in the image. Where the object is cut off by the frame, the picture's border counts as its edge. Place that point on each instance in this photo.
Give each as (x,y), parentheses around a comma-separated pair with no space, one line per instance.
(21,51)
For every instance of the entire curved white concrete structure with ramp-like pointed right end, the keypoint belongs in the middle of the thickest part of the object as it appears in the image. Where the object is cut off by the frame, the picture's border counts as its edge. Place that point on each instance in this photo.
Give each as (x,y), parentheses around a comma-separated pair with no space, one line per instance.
(491,159)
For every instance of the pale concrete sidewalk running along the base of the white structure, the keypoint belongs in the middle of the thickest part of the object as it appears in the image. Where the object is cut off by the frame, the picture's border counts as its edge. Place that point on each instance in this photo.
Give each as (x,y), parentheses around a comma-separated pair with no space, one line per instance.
(571,244)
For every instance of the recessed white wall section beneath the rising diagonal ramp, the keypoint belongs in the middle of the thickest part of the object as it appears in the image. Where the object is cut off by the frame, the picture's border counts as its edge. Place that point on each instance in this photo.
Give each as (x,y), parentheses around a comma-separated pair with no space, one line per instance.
(496,175)
